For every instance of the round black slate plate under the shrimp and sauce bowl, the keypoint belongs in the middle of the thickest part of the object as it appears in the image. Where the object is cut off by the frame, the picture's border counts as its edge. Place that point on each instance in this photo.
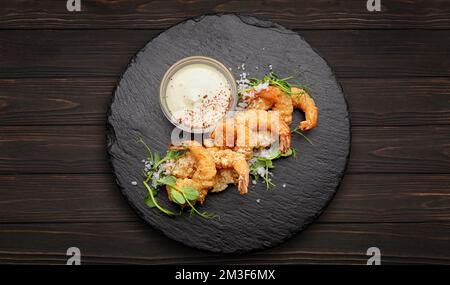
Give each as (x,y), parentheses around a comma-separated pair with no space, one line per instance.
(263,218)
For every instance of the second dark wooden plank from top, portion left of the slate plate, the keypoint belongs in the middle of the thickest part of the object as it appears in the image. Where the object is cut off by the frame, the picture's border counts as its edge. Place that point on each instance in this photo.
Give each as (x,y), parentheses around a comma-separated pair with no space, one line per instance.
(71,53)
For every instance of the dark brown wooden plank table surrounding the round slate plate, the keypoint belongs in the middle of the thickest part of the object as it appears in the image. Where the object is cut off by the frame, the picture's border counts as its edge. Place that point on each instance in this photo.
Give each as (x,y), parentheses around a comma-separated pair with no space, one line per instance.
(57,73)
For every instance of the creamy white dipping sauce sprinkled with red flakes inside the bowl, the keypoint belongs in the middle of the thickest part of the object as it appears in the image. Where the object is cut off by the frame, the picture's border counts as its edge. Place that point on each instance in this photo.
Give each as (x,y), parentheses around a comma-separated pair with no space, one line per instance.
(198,96)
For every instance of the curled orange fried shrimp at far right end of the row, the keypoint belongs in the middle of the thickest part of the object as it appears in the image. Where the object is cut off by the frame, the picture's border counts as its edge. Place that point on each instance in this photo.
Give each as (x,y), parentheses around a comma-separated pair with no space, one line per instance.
(302,101)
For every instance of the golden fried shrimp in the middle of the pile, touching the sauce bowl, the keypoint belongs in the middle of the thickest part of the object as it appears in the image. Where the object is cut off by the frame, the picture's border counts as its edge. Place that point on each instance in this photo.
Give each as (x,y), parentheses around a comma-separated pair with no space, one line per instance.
(241,132)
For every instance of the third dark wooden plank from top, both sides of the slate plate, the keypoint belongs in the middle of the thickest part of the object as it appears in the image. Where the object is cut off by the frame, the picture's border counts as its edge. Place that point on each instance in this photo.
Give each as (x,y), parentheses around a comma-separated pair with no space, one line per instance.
(84,101)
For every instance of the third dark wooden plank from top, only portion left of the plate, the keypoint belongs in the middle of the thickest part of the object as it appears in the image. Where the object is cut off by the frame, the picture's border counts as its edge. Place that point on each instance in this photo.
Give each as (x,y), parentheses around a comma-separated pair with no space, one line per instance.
(55,101)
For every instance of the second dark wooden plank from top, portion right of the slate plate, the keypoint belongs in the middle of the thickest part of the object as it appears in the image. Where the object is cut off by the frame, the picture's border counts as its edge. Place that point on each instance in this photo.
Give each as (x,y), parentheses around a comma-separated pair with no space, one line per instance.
(383,53)
